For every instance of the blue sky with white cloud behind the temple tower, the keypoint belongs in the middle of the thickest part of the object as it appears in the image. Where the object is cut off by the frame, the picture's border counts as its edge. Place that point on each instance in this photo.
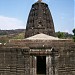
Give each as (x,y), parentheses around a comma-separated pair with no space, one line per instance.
(14,14)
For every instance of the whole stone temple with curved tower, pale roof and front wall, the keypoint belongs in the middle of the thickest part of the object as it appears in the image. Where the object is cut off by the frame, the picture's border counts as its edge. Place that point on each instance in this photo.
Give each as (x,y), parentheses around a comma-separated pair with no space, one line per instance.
(40,53)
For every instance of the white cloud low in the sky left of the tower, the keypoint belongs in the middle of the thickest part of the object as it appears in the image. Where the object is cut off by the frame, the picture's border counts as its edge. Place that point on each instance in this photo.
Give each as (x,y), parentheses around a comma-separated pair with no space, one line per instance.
(7,23)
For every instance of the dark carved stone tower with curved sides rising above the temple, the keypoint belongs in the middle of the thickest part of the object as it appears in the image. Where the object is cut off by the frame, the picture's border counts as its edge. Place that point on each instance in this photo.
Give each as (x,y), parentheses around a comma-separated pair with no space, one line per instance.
(39,20)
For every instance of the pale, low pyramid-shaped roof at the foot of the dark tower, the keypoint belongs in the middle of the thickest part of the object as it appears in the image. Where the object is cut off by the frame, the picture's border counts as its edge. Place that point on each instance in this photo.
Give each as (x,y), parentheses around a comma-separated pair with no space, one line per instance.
(42,36)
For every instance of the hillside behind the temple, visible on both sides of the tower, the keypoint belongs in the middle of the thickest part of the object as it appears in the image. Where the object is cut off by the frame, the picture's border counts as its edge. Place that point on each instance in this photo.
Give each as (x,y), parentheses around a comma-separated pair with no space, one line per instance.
(5,35)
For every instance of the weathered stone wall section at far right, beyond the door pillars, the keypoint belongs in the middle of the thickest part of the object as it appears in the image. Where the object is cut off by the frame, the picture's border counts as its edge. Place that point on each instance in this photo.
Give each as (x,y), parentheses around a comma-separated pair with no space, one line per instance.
(66,61)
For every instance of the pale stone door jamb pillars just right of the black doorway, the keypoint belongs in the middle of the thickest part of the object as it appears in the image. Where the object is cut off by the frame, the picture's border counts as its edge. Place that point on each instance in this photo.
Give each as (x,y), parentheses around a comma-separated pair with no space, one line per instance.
(49,65)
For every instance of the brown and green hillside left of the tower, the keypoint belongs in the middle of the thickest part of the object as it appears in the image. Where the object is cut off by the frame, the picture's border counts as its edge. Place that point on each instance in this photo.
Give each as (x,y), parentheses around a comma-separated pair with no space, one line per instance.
(5,35)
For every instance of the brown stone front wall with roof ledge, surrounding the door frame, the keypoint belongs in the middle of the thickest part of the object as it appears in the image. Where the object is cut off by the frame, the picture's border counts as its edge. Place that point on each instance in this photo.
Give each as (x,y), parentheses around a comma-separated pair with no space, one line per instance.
(15,58)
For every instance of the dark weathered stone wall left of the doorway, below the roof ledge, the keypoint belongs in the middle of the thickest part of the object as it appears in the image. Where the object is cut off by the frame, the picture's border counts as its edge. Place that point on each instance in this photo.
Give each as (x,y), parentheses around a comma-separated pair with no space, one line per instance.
(13,62)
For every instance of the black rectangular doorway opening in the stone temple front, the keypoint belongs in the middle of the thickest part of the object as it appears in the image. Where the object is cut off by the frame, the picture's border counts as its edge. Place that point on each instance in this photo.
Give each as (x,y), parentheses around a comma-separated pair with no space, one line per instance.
(41,65)
